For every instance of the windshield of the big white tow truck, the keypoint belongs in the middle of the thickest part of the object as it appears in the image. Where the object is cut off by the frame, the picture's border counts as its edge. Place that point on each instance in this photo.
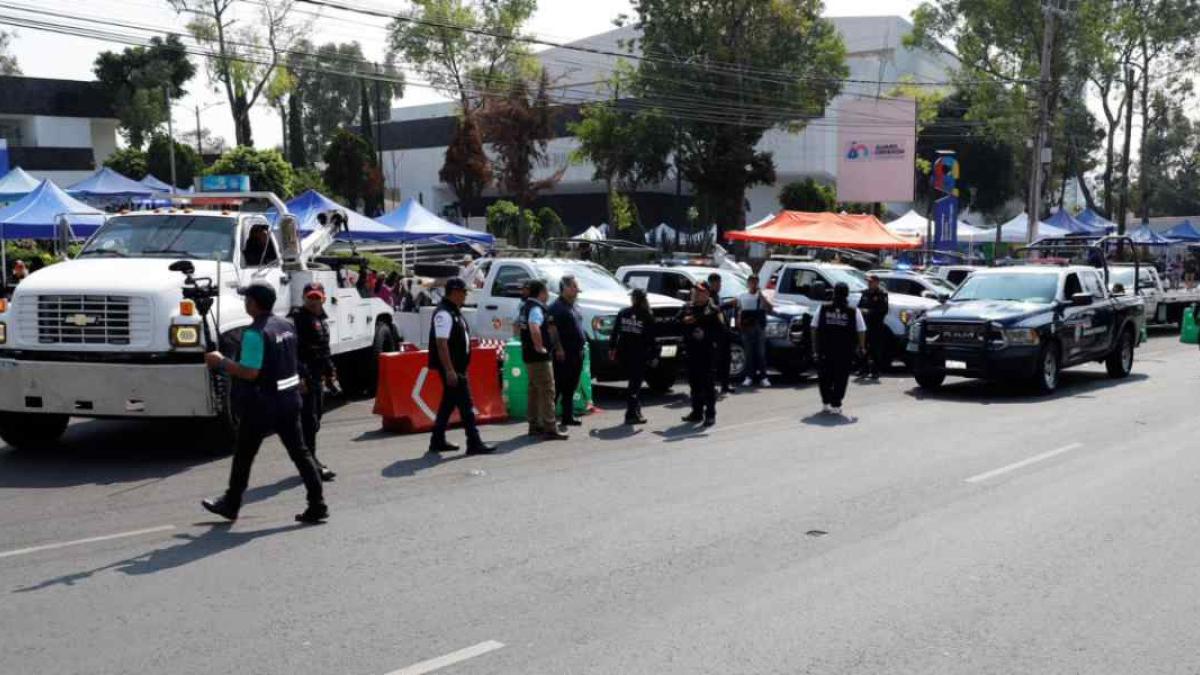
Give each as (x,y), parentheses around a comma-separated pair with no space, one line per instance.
(176,236)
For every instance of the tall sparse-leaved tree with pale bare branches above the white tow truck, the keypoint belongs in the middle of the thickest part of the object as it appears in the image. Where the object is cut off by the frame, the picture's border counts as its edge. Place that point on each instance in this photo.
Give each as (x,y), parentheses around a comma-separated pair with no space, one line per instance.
(243,59)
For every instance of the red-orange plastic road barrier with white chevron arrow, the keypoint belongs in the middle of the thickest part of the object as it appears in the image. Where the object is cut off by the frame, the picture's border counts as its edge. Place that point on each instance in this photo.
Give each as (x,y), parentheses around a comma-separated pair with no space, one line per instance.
(410,393)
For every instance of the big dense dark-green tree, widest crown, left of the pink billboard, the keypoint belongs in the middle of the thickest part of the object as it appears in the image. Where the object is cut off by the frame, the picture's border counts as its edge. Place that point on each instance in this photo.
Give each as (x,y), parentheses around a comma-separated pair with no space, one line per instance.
(719,49)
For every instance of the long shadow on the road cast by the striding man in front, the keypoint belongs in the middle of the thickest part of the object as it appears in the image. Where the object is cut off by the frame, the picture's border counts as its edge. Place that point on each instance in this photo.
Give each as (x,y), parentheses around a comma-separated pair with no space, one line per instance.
(191,548)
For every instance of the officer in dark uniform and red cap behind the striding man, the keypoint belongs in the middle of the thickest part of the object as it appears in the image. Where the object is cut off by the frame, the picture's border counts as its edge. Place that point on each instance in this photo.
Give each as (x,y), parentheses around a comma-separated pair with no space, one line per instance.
(316,367)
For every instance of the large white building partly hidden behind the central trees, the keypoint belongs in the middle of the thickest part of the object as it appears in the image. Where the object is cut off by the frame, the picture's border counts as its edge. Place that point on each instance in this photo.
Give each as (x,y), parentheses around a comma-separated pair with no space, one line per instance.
(415,141)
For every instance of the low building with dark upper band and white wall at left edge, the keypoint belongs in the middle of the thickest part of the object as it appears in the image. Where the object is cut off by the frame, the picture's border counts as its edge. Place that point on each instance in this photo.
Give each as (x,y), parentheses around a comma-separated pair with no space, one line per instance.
(57,129)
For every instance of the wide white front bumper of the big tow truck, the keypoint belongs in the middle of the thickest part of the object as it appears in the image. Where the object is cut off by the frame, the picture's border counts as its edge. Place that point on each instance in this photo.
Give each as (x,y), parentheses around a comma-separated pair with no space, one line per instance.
(104,390)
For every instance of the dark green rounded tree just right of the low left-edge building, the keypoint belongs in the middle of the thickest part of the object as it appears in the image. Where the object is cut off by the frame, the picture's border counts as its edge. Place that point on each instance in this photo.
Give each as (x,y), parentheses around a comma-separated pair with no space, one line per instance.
(139,80)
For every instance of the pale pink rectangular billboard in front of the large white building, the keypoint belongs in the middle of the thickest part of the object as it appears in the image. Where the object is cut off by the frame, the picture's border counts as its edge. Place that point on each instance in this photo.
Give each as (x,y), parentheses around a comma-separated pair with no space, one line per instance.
(877,146)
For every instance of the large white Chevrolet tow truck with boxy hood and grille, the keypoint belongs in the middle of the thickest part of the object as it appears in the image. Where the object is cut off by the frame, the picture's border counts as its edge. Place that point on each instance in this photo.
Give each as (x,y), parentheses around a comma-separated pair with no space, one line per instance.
(121,331)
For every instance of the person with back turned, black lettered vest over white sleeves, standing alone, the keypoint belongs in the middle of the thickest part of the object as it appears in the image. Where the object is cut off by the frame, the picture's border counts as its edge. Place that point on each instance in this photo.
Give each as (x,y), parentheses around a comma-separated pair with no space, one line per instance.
(841,333)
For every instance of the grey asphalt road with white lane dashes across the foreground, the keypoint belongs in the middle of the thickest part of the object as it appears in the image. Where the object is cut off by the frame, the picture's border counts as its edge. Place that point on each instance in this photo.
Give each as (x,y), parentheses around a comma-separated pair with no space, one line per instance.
(980,530)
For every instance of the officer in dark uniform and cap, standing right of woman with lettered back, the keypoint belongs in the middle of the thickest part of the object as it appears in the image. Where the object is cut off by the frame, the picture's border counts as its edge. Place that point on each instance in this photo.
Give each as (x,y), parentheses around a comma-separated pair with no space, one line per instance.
(701,326)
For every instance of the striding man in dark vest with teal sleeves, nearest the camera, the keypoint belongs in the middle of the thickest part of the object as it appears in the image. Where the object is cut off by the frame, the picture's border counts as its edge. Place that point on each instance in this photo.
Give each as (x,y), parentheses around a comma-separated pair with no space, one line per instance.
(267,398)
